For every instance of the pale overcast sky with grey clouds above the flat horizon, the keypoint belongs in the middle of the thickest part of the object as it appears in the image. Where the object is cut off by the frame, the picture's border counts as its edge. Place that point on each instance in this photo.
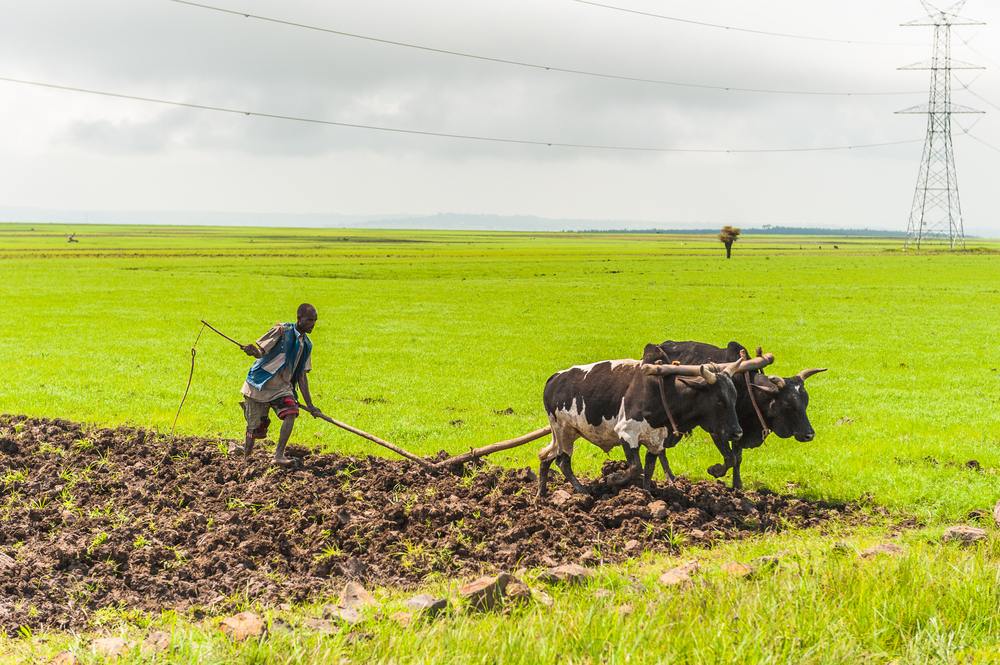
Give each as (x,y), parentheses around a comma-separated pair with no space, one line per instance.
(64,150)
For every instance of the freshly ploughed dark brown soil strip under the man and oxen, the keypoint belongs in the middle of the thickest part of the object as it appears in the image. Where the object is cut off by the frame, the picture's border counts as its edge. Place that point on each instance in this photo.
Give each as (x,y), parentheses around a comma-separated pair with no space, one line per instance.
(98,518)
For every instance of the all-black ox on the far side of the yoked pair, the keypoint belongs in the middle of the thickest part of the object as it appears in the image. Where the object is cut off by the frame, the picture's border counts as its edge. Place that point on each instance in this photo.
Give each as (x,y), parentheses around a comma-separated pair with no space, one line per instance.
(782,402)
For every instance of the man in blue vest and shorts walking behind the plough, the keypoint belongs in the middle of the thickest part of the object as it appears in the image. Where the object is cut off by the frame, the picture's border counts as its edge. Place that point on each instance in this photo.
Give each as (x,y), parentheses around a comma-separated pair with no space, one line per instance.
(282,363)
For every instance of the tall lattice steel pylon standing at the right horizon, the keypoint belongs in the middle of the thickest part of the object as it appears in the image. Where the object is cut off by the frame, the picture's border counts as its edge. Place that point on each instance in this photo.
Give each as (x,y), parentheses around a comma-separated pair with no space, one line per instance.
(936,212)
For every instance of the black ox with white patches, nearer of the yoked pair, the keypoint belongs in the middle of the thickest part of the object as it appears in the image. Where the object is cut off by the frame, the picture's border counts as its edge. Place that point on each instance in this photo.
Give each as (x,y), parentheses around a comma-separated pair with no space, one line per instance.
(629,403)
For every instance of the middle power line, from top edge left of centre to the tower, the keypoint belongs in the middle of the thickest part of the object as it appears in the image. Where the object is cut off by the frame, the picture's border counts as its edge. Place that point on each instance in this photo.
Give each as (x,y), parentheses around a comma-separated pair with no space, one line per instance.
(517,63)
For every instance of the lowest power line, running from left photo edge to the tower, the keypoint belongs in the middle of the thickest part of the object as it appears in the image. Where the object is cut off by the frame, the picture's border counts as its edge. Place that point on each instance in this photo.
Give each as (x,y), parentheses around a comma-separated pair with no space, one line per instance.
(467,137)
